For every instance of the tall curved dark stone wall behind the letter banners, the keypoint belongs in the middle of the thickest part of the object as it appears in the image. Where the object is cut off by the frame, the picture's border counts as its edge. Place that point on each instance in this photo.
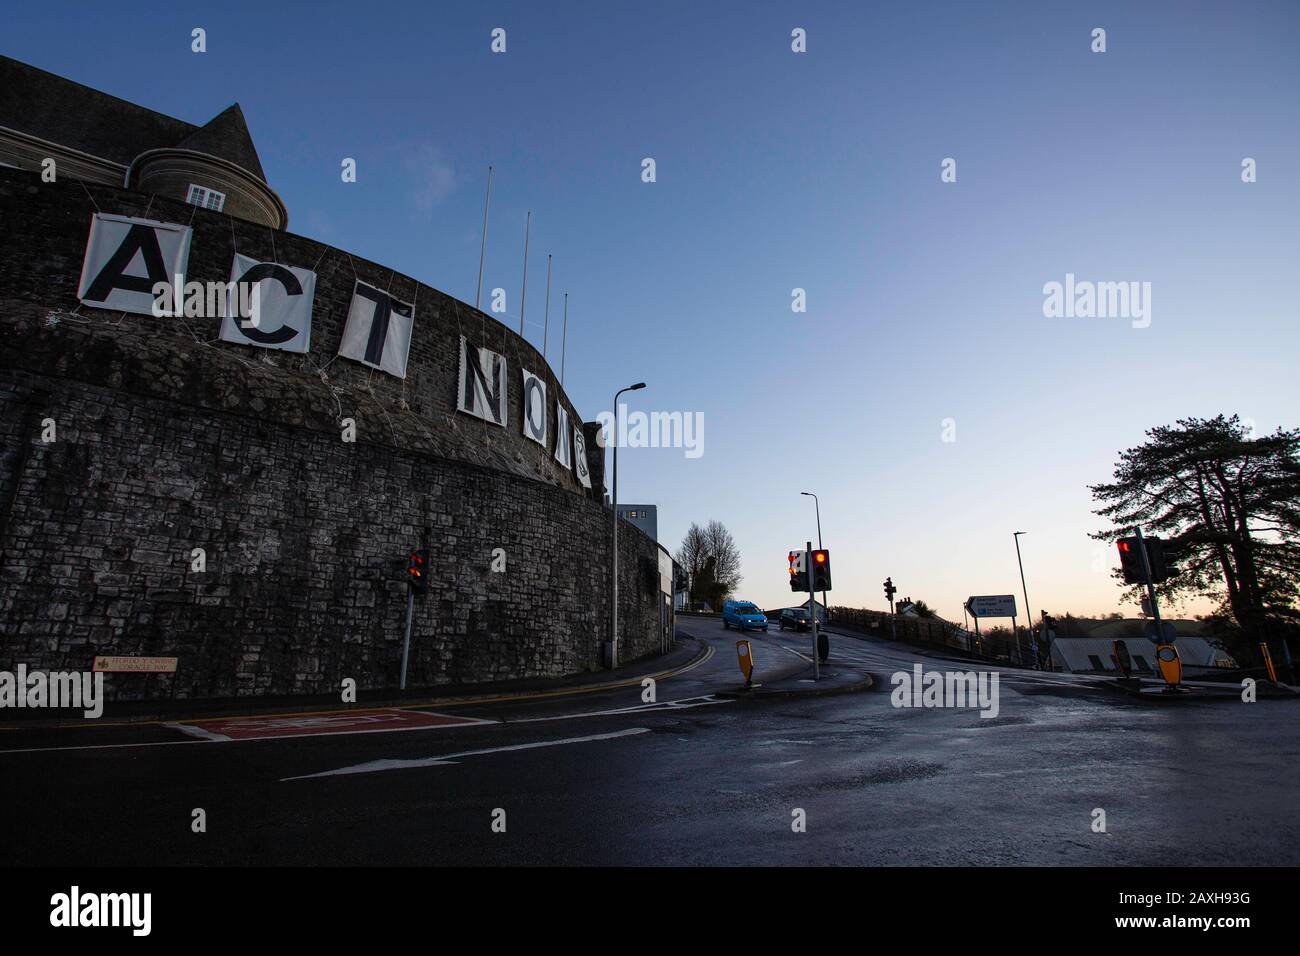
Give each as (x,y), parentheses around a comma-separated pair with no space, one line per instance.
(168,440)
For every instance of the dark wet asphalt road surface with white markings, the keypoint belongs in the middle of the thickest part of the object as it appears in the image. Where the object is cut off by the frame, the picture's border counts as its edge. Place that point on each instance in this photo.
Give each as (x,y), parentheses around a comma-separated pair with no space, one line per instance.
(690,780)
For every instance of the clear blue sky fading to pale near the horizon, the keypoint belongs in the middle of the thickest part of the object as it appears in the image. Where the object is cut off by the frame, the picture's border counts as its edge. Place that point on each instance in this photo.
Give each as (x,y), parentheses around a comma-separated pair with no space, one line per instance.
(818,171)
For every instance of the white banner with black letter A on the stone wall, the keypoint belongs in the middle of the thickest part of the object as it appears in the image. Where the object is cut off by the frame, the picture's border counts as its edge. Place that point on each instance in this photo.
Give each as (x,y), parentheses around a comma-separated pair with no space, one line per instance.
(125,258)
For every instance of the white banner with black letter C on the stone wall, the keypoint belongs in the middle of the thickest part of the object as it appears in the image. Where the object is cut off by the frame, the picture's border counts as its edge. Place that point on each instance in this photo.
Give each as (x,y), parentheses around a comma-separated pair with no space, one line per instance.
(283,306)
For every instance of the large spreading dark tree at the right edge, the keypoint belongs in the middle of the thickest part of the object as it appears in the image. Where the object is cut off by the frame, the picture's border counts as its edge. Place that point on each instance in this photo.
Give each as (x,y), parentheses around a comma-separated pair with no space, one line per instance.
(1230,503)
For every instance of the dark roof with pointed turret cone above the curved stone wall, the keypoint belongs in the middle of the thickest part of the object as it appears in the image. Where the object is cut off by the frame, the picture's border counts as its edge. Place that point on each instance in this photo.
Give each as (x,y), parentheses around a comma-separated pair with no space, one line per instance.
(54,109)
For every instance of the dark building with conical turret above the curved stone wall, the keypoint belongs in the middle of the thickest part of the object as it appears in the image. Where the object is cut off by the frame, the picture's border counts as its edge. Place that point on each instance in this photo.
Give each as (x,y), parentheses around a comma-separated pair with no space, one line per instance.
(101,139)
